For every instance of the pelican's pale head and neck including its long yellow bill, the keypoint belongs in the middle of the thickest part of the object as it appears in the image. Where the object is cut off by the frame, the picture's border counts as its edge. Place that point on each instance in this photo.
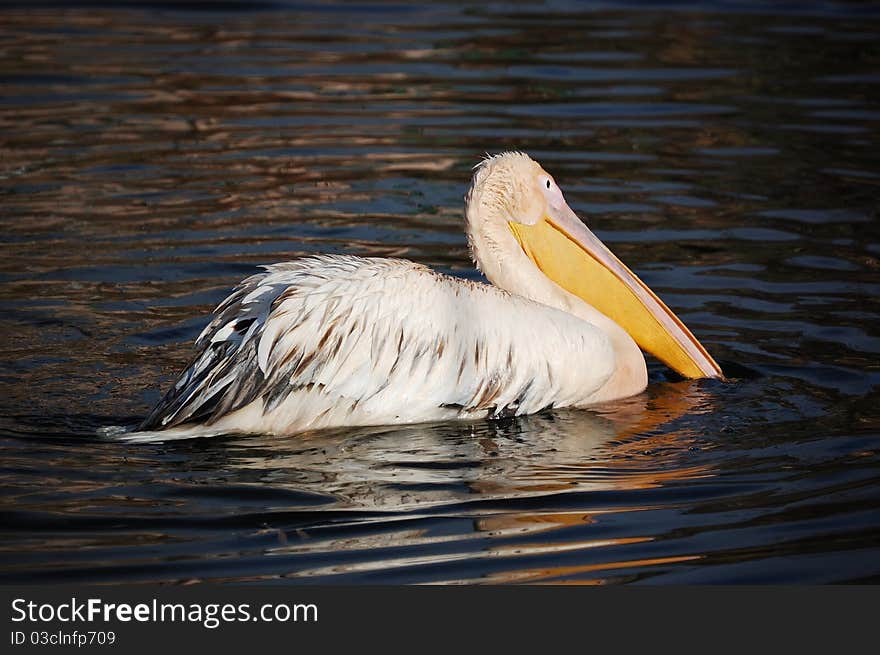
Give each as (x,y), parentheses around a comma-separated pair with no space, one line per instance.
(523,234)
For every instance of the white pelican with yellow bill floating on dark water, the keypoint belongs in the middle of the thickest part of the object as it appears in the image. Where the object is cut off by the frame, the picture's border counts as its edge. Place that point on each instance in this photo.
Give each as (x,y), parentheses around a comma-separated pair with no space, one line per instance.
(338,340)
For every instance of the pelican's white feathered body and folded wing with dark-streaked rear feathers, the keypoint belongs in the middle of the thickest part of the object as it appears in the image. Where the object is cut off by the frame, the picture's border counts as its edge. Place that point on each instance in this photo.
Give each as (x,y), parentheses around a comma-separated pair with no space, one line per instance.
(341,340)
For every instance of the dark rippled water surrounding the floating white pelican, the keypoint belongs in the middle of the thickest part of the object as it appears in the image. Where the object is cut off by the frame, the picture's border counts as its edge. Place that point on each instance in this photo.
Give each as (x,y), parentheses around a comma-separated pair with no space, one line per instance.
(151,158)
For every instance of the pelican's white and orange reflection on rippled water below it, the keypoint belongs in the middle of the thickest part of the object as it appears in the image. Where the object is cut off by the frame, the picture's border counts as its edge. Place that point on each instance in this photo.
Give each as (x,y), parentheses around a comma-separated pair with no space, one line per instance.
(550,479)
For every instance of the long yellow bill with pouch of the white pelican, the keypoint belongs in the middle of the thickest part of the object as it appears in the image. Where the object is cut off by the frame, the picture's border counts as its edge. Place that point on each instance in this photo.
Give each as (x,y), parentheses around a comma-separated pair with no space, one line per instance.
(567,252)
